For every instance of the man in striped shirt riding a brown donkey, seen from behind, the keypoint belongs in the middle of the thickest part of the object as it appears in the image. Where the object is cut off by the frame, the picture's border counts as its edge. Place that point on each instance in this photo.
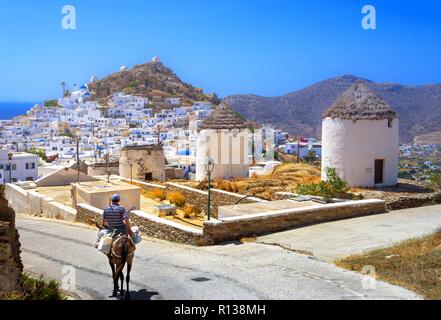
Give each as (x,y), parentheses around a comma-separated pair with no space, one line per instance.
(116,224)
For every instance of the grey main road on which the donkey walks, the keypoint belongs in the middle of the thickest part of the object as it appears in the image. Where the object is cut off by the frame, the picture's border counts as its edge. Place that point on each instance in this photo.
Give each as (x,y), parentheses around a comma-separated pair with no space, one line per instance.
(164,270)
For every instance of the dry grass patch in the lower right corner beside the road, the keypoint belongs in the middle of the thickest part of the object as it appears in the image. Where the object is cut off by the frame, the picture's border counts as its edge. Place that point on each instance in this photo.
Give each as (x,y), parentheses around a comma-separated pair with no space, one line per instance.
(413,264)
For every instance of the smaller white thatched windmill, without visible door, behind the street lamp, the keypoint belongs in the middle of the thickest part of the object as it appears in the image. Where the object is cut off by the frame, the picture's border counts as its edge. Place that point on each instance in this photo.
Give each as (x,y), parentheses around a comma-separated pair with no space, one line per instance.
(223,138)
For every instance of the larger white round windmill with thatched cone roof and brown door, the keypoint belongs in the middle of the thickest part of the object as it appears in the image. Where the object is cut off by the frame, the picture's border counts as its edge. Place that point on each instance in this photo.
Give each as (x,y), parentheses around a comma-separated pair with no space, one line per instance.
(360,139)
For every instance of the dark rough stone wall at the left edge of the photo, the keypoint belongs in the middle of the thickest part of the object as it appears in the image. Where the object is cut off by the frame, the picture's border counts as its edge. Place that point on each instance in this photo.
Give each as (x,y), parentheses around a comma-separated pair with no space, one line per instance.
(11,266)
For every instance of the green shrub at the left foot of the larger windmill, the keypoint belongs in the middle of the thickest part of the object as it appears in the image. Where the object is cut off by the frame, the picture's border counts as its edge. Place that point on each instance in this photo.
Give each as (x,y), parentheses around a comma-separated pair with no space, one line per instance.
(333,187)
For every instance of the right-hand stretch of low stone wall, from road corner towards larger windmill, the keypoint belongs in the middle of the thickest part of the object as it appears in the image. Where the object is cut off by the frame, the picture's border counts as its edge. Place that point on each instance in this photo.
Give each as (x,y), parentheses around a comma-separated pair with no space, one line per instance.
(234,228)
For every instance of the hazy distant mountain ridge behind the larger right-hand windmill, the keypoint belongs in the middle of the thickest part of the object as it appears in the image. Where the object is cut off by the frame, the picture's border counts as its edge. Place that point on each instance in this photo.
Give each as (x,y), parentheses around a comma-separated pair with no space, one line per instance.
(299,113)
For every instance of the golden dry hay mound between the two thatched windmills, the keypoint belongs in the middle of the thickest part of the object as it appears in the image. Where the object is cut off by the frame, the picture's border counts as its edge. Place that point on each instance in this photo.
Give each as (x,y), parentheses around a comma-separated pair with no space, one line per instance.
(285,178)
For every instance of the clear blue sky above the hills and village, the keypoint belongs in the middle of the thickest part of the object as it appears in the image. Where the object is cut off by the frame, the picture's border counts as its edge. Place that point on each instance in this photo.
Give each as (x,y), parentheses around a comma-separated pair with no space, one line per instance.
(266,47)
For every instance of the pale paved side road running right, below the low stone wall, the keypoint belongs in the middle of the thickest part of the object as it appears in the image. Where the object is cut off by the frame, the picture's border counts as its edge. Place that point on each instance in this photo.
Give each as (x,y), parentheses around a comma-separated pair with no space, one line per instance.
(330,241)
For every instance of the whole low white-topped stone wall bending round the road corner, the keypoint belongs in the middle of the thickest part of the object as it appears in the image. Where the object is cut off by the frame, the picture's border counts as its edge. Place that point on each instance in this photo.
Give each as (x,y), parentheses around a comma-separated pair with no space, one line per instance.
(219,231)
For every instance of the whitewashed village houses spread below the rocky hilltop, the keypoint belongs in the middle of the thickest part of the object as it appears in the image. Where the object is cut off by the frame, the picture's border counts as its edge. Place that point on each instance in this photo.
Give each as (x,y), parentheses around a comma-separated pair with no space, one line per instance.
(93,130)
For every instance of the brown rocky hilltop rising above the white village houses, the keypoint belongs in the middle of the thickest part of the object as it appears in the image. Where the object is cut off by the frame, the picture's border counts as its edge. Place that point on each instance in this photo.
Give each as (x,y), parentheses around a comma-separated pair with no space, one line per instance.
(152,80)
